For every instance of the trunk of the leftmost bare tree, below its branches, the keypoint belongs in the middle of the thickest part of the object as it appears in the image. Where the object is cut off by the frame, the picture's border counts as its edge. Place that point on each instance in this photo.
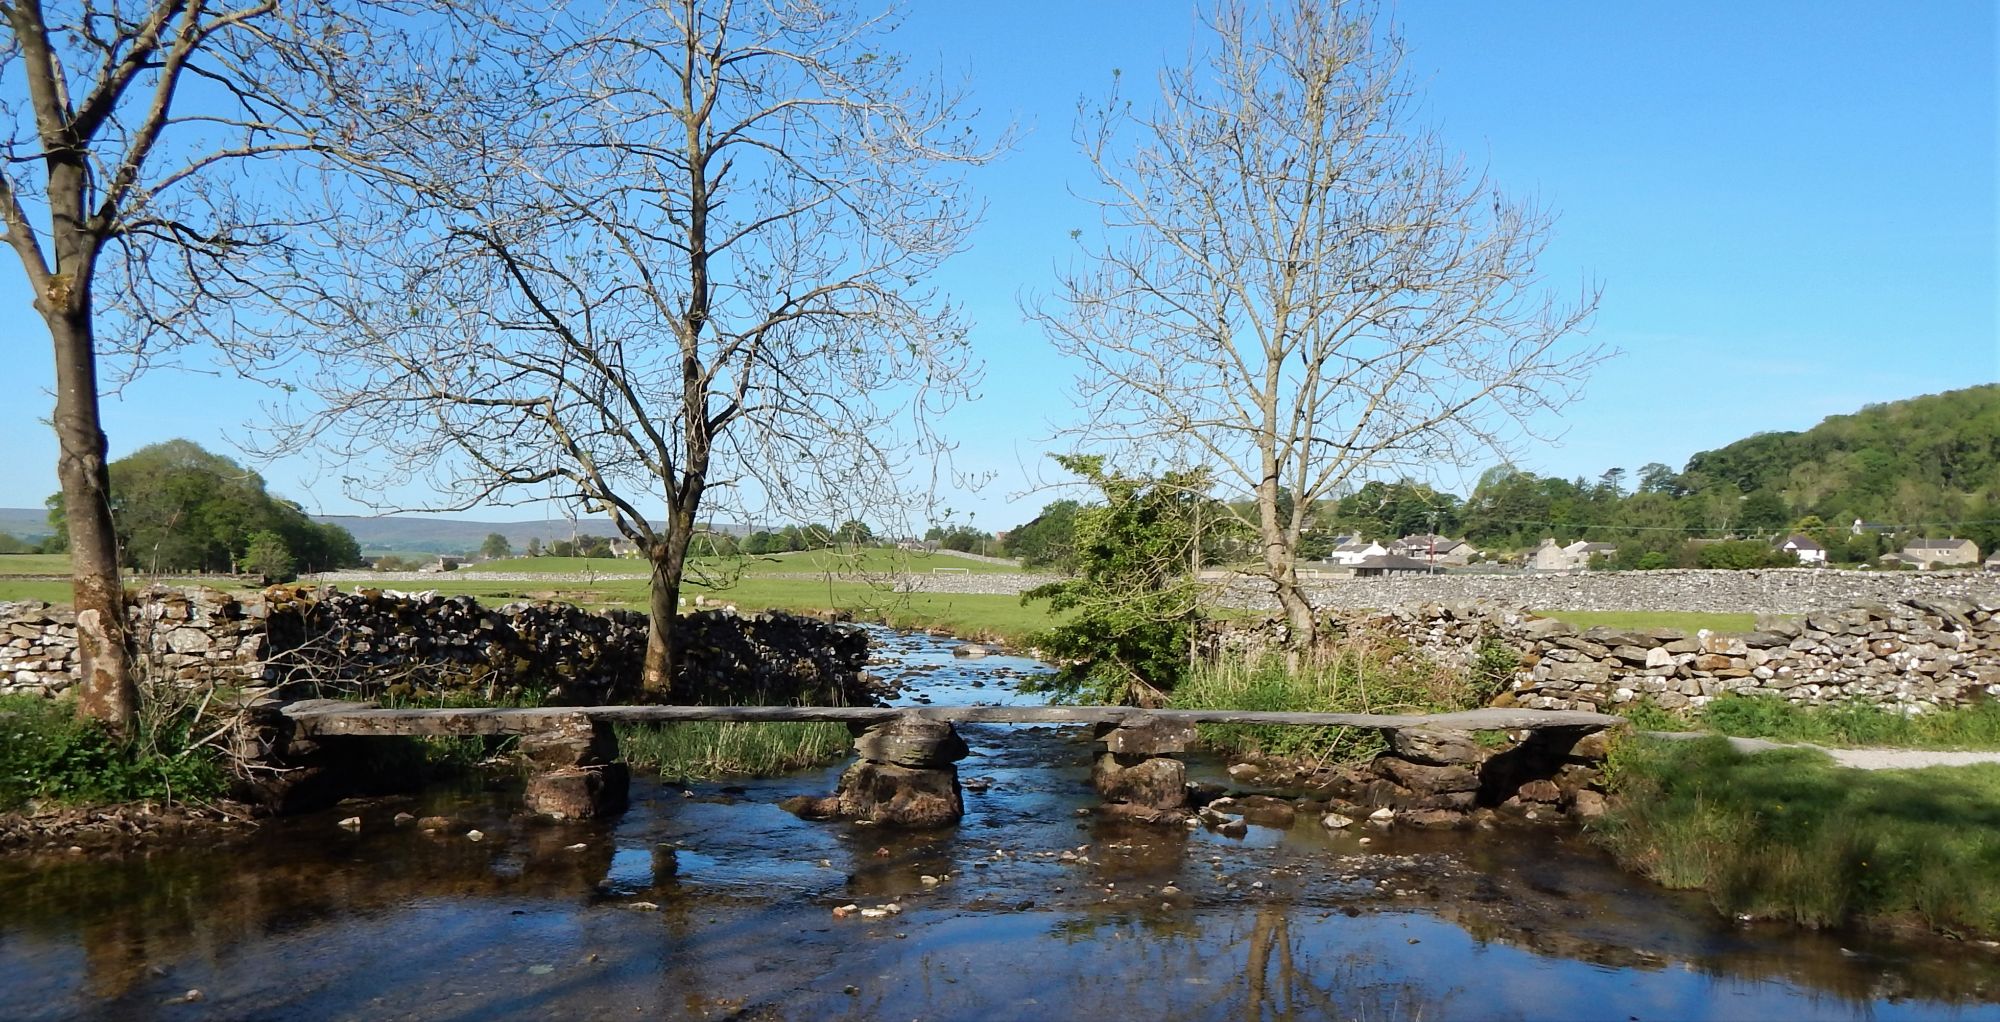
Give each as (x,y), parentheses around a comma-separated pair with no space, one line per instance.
(103,631)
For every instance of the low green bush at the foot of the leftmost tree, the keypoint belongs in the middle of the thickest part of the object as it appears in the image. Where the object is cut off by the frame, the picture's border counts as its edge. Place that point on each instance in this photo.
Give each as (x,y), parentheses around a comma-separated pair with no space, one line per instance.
(47,755)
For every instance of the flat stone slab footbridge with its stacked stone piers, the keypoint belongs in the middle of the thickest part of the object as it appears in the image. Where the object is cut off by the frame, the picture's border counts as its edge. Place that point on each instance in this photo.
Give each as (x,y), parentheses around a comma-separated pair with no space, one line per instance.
(905,773)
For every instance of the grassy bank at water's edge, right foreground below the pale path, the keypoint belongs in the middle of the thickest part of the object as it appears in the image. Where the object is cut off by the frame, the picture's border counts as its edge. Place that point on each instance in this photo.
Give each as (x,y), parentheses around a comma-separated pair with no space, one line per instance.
(1791,837)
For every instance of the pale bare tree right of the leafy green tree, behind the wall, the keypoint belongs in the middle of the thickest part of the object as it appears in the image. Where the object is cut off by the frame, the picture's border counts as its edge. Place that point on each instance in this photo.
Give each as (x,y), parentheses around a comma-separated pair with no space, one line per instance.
(1297,285)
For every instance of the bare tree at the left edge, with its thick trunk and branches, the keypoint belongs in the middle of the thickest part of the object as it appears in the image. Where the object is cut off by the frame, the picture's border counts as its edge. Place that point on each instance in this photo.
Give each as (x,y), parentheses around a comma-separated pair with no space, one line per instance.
(129,131)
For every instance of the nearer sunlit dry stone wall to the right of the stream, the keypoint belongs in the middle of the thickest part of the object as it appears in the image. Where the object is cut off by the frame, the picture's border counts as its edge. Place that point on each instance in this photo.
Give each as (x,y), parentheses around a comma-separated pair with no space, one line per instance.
(1915,655)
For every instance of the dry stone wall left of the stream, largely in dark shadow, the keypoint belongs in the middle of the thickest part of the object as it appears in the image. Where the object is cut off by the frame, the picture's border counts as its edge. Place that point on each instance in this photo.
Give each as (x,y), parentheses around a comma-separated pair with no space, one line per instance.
(373,643)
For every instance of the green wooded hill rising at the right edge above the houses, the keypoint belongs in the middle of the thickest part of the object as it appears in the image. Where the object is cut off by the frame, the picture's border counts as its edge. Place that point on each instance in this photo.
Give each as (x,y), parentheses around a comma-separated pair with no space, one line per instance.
(1931,459)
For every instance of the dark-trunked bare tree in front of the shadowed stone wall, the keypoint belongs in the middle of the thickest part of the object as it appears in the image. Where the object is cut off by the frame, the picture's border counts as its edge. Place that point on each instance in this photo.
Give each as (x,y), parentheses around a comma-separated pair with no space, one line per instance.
(647,257)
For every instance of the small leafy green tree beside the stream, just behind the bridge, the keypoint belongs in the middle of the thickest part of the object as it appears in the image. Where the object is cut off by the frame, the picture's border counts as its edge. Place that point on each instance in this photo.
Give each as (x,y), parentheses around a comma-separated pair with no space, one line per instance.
(1135,599)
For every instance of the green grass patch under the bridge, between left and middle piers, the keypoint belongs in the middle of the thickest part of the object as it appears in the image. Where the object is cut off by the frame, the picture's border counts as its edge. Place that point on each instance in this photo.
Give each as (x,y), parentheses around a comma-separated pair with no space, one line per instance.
(719,749)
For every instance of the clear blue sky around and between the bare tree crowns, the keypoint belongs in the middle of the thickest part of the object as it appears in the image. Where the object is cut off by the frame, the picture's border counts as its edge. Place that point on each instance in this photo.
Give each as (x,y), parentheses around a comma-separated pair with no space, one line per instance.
(1791,209)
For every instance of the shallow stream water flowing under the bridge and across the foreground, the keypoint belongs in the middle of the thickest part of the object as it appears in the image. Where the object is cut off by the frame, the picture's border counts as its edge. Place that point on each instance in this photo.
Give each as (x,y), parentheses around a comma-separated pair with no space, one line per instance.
(713,903)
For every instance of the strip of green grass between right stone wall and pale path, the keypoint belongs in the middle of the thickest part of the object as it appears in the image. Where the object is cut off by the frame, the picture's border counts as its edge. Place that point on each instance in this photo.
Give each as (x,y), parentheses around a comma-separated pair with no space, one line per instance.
(1853,725)
